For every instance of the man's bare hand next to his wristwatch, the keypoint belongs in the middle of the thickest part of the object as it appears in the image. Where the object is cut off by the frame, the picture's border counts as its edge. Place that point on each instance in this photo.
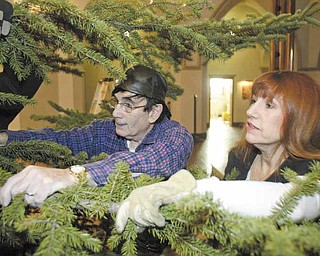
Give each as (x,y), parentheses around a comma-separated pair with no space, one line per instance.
(37,183)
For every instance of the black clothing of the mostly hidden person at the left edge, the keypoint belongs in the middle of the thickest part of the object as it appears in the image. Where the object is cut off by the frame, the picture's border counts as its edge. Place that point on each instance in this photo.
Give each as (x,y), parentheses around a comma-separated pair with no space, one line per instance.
(9,83)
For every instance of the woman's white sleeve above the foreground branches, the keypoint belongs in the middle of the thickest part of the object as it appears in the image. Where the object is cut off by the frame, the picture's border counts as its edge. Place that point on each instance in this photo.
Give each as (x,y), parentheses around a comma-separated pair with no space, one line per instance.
(257,198)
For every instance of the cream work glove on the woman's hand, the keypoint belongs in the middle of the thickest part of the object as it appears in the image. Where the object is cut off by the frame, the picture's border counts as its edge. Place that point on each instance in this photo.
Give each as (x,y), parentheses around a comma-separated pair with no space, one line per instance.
(142,205)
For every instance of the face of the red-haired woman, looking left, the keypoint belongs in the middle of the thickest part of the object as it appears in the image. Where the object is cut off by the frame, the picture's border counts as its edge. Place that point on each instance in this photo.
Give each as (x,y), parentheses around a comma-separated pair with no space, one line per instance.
(264,122)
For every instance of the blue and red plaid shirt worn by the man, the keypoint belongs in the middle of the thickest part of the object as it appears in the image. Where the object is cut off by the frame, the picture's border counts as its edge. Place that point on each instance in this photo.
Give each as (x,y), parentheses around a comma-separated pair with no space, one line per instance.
(165,149)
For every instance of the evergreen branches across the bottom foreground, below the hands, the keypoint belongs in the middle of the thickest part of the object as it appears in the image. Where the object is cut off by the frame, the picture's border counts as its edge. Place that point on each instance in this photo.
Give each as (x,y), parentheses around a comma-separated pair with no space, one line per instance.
(73,219)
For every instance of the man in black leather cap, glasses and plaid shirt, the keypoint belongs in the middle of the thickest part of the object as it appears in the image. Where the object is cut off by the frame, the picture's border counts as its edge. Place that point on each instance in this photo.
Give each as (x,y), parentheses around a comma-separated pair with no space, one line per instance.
(140,134)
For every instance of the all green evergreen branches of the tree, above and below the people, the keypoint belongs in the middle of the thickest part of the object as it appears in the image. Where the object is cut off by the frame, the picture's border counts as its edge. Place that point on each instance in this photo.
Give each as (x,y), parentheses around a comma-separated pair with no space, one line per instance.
(115,35)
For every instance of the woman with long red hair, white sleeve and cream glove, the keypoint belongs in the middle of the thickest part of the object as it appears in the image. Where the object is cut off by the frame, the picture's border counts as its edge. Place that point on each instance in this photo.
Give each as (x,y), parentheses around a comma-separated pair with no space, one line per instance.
(282,130)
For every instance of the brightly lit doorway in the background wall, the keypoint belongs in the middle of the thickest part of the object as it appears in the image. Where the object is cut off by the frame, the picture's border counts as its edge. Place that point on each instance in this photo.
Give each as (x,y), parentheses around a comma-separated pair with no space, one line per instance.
(221,89)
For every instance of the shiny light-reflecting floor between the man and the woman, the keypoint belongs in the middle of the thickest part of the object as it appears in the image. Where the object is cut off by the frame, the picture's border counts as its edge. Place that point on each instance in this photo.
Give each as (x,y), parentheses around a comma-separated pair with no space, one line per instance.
(214,150)
